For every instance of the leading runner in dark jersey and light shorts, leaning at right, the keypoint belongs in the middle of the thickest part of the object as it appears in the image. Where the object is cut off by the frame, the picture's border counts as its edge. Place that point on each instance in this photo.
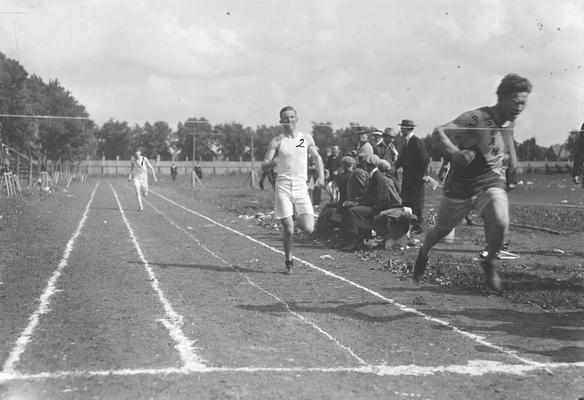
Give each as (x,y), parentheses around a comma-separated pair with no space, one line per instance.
(480,145)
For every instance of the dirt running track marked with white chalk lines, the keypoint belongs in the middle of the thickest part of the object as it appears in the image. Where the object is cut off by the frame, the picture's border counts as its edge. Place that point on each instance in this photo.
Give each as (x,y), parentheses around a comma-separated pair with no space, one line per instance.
(182,301)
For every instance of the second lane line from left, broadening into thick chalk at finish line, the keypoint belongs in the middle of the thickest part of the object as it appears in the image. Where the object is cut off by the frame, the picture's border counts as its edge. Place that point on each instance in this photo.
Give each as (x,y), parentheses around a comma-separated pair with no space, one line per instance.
(172,321)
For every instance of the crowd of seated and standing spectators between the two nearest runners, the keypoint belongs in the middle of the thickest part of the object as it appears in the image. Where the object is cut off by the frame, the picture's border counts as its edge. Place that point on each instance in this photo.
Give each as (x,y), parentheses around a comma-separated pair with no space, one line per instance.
(385,170)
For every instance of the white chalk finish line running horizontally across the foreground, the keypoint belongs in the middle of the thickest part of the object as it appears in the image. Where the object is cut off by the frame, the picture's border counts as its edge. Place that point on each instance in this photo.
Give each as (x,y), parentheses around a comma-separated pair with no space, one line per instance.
(472,368)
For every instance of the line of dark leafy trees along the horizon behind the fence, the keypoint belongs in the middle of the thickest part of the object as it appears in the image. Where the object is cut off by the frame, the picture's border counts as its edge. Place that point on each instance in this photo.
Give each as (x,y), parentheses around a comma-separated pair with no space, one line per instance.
(22,94)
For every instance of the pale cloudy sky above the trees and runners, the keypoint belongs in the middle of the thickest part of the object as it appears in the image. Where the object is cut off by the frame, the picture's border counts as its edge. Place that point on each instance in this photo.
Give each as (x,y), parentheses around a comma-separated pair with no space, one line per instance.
(374,62)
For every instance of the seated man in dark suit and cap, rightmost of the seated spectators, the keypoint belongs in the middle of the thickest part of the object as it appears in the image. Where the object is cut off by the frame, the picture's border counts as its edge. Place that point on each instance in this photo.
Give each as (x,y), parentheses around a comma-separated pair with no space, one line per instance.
(377,197)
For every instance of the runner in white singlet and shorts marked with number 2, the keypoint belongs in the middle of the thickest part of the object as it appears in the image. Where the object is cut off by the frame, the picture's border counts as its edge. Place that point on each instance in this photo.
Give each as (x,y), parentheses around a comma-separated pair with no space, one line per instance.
(291,191)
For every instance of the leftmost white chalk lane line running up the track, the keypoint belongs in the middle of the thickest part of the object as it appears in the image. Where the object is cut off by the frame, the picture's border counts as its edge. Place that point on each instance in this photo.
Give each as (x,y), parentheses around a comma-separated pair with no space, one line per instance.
(45,298)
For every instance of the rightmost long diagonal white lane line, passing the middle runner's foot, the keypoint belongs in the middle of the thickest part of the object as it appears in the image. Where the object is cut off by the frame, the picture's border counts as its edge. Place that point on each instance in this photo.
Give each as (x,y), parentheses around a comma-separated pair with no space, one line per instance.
(476,338)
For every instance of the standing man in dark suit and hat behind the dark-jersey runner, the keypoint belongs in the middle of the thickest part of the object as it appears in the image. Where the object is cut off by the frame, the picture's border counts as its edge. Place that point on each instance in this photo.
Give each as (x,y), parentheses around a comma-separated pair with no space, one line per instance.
(414,161)
